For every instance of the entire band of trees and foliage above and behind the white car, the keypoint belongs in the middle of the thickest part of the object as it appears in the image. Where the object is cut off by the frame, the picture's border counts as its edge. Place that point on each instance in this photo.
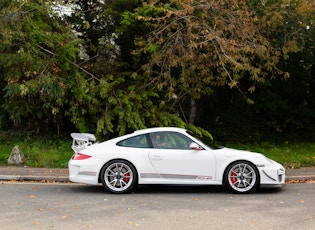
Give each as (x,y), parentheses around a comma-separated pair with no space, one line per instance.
(242,70)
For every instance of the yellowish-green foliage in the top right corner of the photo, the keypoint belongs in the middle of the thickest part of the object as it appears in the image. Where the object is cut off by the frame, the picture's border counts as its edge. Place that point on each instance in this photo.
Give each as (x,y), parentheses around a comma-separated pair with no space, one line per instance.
(288,25)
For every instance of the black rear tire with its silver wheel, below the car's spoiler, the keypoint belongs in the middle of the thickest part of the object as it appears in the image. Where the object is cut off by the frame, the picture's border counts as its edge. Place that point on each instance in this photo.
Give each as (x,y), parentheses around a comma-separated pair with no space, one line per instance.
(119,176)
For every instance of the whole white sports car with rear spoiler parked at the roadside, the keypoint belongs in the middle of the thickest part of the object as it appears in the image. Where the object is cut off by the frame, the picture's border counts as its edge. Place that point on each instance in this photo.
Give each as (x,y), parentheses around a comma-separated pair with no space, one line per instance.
(168,156)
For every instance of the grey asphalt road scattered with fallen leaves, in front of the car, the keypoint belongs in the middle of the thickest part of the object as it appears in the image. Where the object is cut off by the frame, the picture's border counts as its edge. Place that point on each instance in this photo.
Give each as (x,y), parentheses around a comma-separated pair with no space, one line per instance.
(75,206)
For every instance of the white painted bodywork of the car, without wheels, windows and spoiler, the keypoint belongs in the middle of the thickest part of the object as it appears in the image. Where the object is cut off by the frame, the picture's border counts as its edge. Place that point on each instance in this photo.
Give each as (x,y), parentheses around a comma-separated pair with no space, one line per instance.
(171,166)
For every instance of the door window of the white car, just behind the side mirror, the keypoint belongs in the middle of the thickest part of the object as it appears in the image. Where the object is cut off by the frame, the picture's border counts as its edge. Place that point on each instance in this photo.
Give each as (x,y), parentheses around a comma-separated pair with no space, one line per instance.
(170,140)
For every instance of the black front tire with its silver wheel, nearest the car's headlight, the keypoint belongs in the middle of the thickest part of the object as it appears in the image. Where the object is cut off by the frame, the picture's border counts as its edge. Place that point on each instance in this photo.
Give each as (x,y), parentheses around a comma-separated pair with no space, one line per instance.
(241,177)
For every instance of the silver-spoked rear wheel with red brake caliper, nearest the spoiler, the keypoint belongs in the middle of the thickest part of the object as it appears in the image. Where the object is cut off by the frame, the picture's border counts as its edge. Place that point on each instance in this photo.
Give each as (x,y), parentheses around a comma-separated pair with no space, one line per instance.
(118,177)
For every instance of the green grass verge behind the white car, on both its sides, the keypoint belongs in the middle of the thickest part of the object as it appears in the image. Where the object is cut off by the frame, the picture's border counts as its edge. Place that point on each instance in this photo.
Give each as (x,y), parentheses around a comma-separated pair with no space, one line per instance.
(55,151)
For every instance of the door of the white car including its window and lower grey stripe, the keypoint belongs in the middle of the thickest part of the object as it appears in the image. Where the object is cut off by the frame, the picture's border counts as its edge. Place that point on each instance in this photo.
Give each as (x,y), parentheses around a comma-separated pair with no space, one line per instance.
(175,162)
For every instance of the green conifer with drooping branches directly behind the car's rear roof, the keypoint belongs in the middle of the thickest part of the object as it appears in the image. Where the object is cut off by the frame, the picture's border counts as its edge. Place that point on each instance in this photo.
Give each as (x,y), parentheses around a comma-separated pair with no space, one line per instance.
(115,100)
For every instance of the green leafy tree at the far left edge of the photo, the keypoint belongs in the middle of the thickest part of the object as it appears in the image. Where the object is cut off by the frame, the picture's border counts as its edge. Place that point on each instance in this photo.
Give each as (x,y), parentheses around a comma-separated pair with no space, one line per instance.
(37,52)
